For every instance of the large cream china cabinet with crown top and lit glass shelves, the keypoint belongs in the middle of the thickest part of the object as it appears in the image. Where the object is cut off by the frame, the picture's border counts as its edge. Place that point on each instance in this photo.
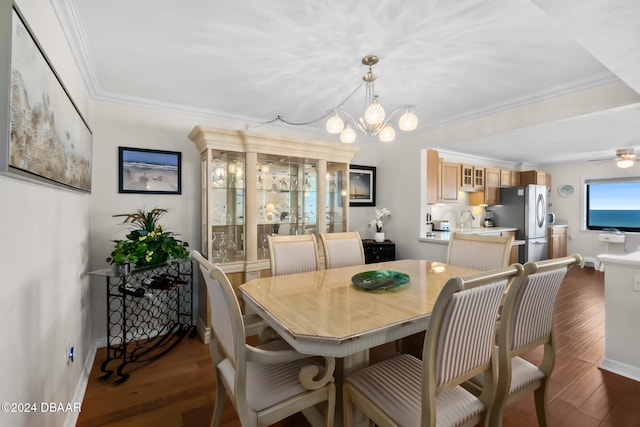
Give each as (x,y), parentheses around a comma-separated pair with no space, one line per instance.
(254,185)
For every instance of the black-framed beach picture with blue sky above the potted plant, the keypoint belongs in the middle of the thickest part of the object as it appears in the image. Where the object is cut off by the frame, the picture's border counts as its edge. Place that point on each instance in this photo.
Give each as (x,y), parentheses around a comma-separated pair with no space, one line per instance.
(142,170)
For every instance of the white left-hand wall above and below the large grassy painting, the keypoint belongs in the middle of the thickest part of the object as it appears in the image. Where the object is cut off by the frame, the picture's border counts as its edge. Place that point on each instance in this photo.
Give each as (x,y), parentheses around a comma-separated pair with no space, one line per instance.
(44,260)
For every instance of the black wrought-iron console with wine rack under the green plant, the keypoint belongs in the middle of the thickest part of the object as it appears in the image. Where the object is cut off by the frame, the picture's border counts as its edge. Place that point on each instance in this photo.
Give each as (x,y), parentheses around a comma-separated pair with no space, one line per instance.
(149,311)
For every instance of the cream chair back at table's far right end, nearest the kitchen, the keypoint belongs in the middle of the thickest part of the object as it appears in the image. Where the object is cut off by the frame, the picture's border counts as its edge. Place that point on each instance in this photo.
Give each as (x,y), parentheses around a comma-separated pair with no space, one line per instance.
(479,251)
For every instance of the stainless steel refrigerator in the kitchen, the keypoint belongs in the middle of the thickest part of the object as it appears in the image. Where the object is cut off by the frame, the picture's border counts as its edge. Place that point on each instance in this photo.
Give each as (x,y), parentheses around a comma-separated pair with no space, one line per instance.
(525,208)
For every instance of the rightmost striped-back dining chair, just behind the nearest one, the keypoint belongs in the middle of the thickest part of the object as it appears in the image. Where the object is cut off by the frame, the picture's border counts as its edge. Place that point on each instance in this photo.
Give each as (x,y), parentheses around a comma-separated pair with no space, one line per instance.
(527,323)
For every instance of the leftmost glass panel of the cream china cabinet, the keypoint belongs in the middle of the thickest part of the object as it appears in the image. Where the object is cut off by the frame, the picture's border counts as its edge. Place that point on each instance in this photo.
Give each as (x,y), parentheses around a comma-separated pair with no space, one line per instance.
(226,206)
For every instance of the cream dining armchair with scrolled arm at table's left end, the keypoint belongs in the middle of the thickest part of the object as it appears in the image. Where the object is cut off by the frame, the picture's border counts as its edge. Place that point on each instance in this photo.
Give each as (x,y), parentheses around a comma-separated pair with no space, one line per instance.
(266,383)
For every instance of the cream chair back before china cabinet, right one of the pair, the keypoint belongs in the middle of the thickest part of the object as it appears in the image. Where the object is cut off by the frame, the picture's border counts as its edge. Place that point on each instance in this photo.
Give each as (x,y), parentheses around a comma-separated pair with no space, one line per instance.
(342,249)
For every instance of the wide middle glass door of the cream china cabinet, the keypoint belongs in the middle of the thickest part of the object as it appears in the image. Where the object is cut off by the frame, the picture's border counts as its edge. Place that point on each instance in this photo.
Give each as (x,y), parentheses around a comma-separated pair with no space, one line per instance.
(286,198)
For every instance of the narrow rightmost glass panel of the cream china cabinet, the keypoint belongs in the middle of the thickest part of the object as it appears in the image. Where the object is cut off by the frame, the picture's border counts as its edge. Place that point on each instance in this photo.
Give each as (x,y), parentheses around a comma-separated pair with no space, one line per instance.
(337,188)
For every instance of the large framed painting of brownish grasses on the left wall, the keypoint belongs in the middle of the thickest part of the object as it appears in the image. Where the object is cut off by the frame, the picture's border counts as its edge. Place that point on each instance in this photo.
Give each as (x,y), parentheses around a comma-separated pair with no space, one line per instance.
(47,140)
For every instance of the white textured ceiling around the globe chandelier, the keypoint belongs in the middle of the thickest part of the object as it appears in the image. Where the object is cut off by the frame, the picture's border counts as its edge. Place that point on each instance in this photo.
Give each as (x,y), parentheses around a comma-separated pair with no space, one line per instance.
(252,60)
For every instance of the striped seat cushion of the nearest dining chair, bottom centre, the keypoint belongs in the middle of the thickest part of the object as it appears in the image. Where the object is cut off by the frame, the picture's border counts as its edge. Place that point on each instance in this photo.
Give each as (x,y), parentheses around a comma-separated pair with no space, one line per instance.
(395,386)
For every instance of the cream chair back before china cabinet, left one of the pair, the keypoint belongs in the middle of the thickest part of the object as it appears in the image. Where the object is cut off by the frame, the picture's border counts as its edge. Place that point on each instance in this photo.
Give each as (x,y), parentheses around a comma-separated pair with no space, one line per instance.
(293,254)
